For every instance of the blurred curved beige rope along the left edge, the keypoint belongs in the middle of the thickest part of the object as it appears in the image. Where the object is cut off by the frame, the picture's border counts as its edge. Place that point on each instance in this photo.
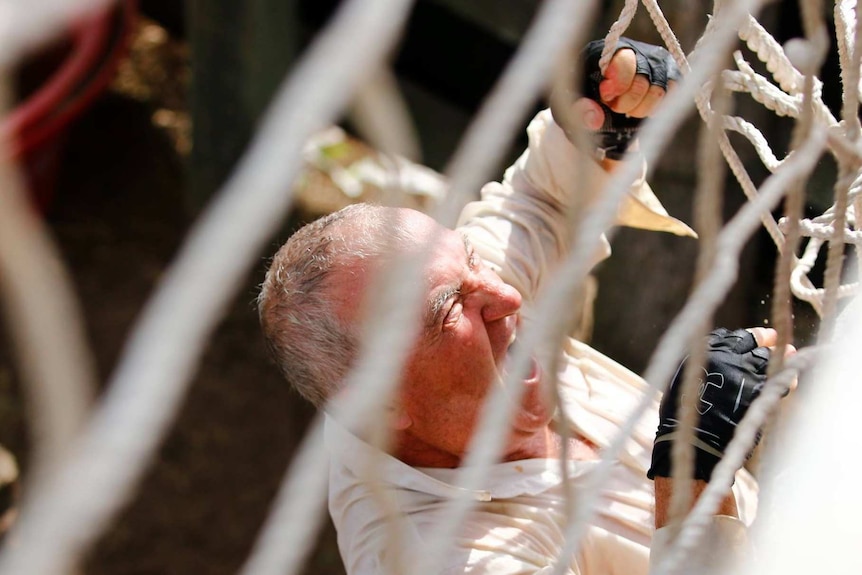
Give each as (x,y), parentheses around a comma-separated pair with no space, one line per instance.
(45,323)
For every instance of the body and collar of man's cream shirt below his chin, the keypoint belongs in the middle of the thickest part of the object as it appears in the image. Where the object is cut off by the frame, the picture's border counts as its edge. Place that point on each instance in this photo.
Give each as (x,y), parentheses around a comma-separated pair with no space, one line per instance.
(517,524)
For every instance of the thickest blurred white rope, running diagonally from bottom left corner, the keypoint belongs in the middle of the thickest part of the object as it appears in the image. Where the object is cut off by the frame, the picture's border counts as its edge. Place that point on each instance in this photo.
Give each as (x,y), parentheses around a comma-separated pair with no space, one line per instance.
(73,506)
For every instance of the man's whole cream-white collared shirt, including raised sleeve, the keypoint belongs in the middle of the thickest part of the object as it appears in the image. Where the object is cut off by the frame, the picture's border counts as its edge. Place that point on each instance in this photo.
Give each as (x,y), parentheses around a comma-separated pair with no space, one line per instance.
(519,227)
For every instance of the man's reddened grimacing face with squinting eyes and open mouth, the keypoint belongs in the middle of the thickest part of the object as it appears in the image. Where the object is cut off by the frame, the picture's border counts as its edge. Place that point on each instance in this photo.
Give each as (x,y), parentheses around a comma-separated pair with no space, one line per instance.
(470,319)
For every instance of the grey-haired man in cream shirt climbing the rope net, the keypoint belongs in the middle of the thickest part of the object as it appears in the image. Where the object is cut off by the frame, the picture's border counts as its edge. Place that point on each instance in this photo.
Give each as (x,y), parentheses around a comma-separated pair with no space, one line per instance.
(478,281)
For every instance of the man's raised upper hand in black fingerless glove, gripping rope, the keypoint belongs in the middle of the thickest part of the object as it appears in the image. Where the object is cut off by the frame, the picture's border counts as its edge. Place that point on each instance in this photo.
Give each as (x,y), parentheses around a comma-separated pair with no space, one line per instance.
(637,78)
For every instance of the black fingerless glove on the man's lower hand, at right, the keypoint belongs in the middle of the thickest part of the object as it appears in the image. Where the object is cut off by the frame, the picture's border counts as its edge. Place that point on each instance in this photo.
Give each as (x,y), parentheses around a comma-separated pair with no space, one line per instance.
(734,374)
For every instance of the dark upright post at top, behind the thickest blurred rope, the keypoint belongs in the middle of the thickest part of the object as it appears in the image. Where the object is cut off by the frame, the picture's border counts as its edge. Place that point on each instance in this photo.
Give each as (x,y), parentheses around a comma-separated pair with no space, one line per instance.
(241,51)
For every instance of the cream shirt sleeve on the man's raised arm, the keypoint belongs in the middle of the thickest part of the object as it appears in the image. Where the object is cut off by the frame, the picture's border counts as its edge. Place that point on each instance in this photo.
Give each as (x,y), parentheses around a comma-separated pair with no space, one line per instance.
(521,225)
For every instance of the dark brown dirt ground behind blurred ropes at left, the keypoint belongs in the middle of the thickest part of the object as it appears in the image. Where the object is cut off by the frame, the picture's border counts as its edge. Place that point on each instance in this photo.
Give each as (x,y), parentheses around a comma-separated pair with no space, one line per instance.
(118,219)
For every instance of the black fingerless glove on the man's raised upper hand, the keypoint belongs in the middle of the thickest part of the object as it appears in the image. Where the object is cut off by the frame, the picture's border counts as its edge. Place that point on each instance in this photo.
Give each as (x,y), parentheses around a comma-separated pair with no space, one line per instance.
(616,134)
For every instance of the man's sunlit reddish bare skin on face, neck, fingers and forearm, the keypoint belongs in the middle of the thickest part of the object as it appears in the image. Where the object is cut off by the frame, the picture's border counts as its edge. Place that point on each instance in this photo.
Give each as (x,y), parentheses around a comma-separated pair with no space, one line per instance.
(470,316)
